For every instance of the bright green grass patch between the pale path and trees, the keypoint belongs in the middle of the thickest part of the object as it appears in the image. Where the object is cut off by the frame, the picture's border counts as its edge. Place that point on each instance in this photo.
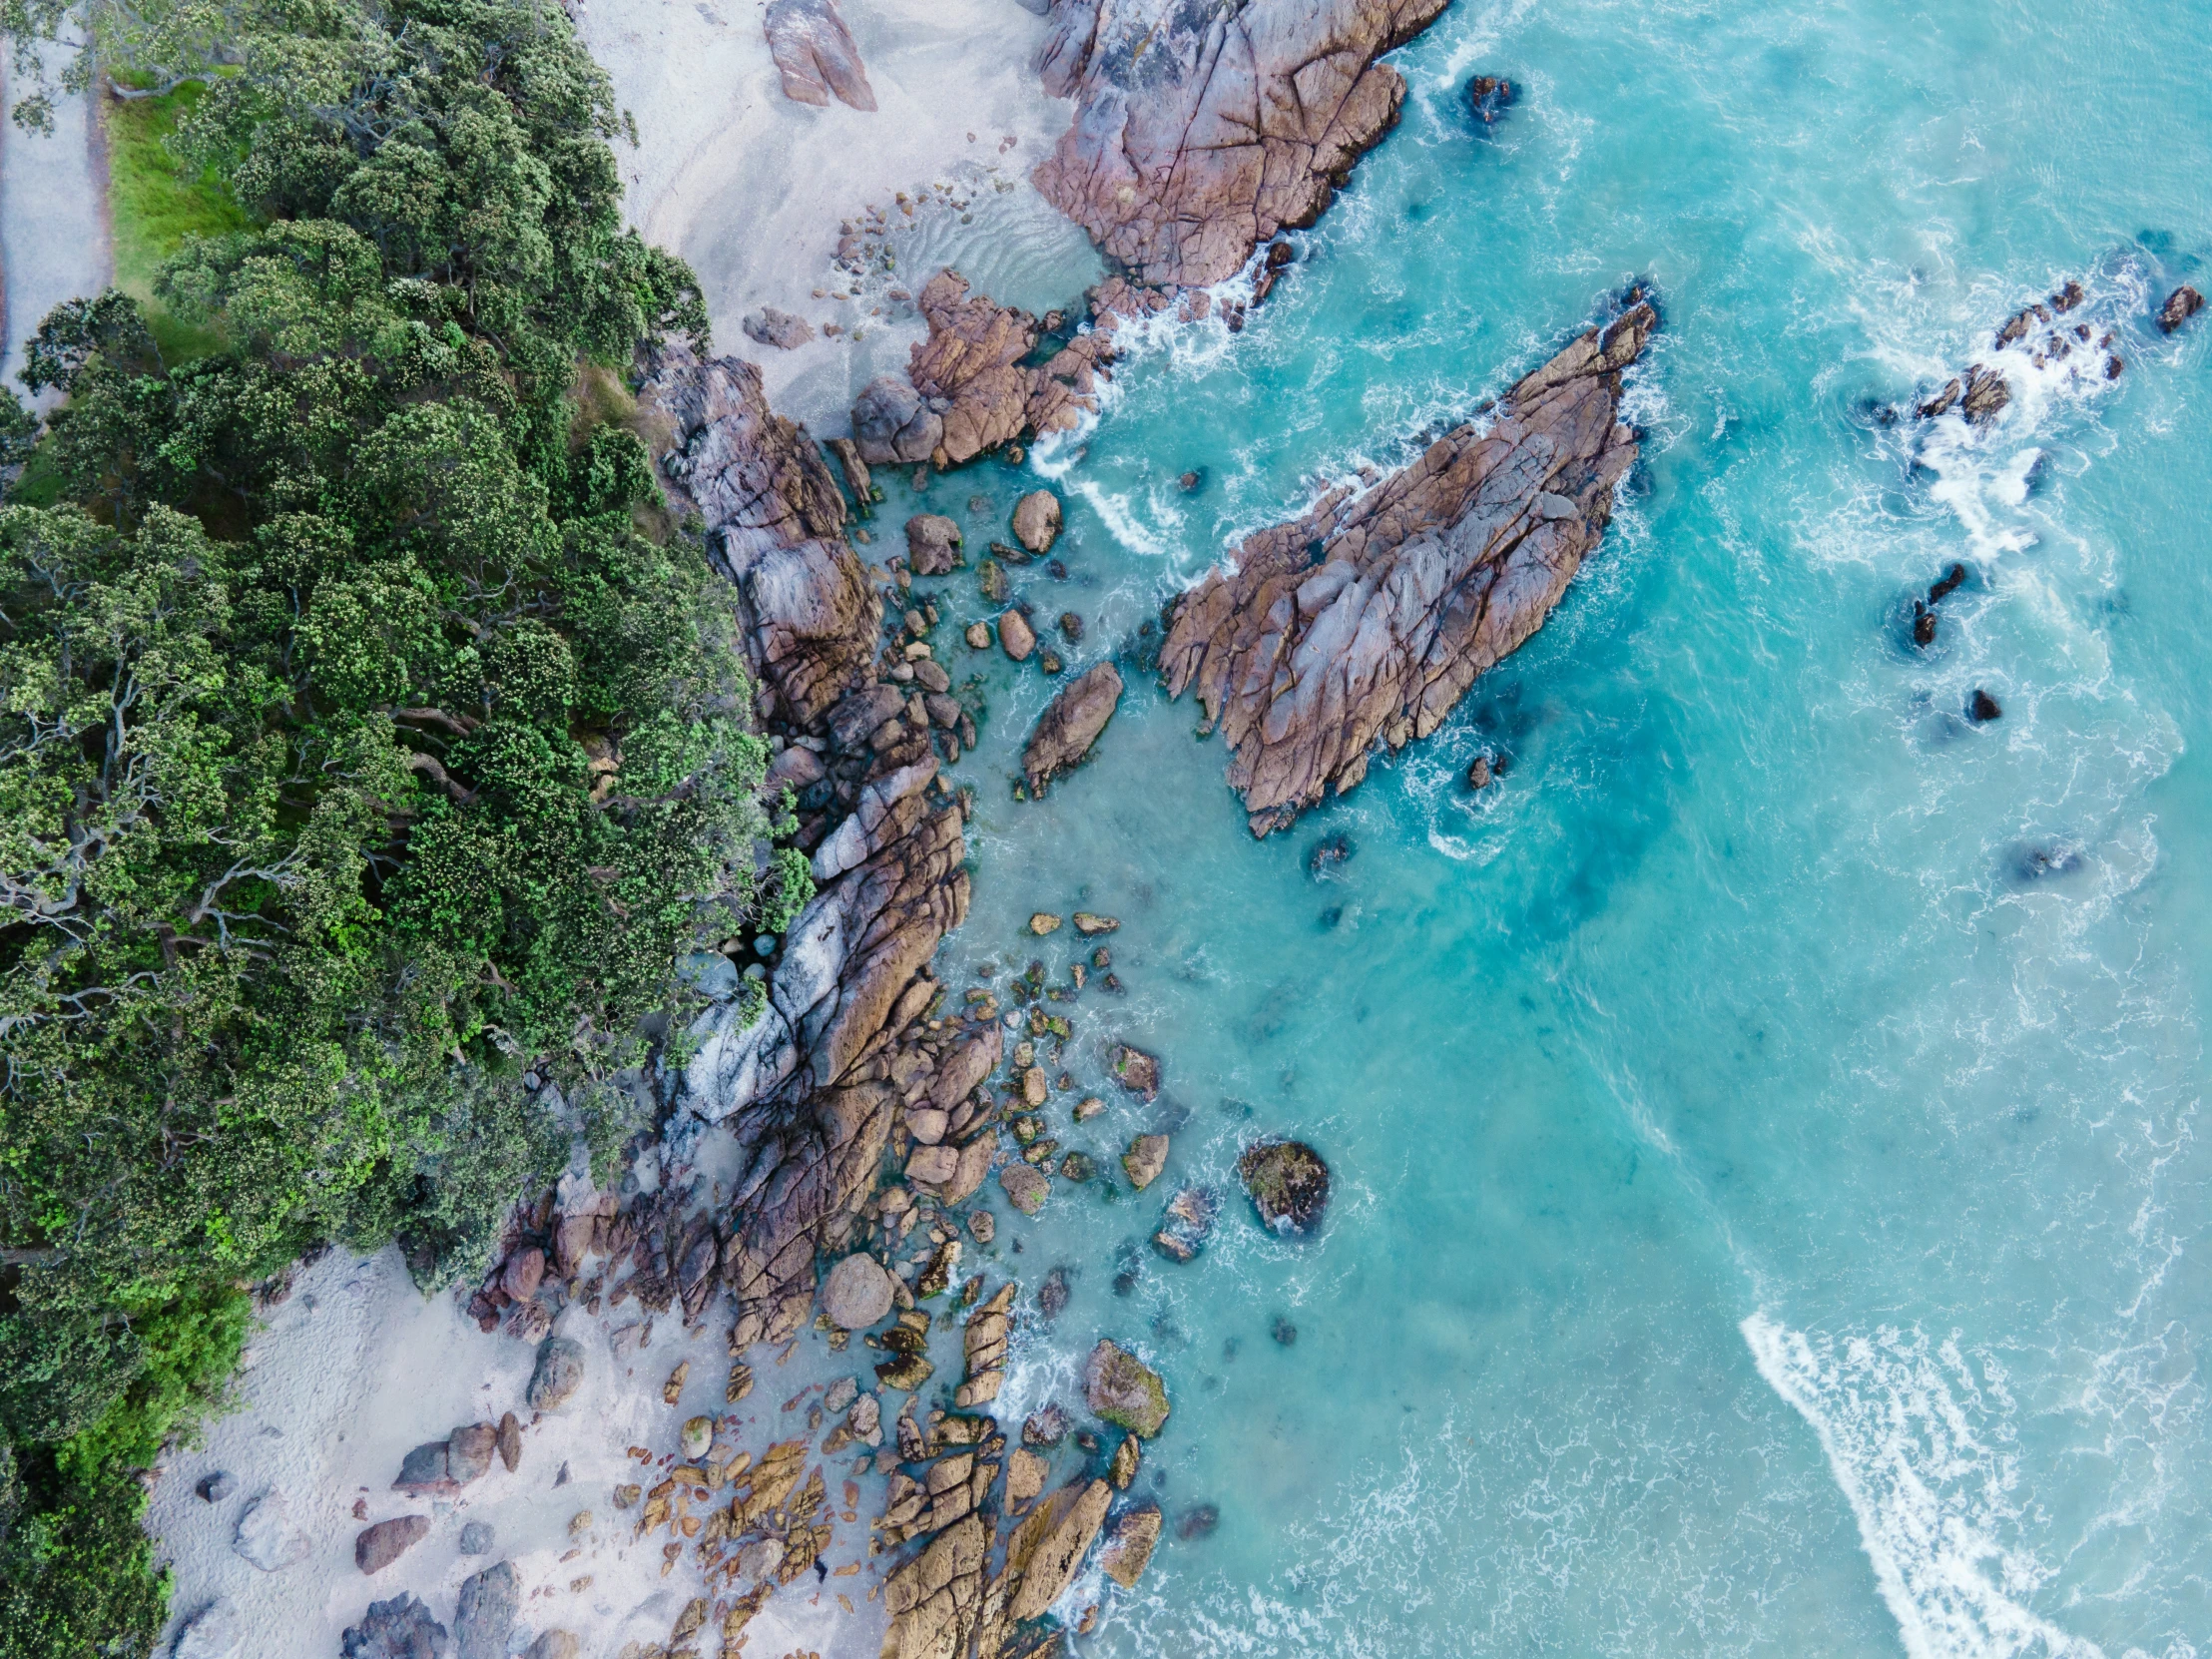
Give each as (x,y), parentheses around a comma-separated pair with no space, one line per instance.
(158,202)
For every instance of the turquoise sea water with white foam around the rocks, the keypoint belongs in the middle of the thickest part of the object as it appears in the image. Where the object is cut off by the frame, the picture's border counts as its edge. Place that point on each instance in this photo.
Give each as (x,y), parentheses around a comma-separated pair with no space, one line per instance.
(1766,1125)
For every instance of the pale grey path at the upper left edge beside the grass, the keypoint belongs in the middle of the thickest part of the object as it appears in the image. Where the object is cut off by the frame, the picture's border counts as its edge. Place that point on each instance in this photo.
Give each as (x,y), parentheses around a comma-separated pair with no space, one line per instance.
(54,227)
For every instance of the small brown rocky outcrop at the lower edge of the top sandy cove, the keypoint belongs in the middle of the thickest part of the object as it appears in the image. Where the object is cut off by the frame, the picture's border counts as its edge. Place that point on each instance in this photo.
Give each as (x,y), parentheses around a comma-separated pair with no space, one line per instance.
(968,388)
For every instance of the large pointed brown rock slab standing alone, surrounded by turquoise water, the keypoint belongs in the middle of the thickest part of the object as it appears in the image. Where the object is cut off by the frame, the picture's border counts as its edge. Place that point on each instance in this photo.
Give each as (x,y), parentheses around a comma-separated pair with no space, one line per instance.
(1368,618)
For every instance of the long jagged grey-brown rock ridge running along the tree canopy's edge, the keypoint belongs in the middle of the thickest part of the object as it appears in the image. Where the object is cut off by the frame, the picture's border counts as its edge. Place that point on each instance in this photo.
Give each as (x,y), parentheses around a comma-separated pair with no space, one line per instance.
(839,1056)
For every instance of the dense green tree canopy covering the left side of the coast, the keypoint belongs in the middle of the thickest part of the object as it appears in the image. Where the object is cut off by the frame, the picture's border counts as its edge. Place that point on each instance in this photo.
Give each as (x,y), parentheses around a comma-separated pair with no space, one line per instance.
(359,753)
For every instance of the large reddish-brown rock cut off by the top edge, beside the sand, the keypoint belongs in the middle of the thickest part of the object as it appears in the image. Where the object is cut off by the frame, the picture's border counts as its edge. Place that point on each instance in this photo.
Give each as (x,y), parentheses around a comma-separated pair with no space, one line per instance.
(1202,132)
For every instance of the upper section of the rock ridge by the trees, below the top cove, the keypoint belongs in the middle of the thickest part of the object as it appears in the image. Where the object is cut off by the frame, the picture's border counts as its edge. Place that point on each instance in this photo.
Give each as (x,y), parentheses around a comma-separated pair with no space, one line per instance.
(775,525)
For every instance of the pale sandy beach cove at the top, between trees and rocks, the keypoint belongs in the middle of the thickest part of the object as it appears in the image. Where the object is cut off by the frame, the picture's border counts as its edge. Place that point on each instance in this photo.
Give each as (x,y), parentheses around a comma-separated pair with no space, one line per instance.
(751,187)
